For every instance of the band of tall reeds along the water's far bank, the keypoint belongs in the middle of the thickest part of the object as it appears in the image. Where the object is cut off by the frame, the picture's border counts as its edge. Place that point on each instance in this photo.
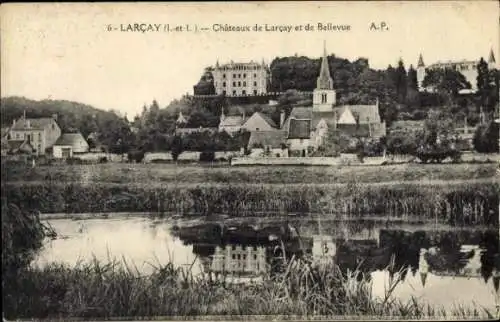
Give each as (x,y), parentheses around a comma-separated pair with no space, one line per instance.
(455,203)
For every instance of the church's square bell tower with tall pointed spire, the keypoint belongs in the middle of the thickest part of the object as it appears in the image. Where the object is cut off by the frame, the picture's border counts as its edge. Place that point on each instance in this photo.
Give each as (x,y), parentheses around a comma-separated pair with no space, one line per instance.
(324,95)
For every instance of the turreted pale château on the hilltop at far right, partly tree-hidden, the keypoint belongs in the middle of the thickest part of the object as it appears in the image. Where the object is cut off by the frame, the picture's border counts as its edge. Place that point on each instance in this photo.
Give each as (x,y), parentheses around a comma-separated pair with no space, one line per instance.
(468,68)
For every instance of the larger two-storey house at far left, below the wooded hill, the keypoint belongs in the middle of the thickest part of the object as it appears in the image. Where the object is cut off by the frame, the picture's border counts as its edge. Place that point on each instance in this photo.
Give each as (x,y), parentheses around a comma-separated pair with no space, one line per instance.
(41,133)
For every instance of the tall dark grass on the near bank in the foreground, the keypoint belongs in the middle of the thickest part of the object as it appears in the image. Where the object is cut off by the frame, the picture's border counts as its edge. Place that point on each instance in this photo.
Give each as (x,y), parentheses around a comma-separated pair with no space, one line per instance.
(112,290)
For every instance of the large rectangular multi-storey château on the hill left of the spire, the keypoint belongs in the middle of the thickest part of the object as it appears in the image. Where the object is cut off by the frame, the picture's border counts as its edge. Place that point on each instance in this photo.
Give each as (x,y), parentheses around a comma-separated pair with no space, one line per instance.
(241,79)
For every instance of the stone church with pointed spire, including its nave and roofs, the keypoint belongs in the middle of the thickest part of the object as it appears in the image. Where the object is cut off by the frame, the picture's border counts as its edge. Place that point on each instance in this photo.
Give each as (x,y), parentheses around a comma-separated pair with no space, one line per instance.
(307,127)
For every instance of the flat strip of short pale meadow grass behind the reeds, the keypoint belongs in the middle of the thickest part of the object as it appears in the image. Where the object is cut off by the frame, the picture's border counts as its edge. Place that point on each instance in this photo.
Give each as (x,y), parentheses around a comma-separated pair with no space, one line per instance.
(170,174)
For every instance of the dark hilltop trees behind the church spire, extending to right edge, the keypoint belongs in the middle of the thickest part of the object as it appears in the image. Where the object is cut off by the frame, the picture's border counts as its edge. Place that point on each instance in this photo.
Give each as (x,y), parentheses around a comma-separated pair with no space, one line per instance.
(396,87)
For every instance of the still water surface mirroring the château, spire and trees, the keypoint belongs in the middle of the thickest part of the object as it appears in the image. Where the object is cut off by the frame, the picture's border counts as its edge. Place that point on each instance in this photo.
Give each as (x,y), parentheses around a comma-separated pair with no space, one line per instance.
(435,263)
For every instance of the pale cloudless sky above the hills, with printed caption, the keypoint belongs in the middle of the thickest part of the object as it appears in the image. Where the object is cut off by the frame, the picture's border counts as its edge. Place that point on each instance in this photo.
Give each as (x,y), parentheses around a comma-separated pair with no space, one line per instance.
(65,51)
